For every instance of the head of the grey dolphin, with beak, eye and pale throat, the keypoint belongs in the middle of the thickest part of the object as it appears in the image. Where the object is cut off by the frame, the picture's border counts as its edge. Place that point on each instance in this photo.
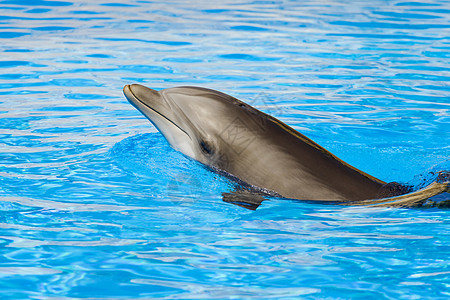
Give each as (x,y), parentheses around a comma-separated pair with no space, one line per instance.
(198,122)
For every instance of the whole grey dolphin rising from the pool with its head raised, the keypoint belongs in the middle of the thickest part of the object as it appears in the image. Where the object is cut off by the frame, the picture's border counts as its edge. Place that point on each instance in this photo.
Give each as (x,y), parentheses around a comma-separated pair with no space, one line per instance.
(261,153)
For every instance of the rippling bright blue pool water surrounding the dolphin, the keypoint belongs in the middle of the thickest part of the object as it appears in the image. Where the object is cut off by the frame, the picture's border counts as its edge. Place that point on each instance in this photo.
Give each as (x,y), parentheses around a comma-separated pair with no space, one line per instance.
(95,204)
